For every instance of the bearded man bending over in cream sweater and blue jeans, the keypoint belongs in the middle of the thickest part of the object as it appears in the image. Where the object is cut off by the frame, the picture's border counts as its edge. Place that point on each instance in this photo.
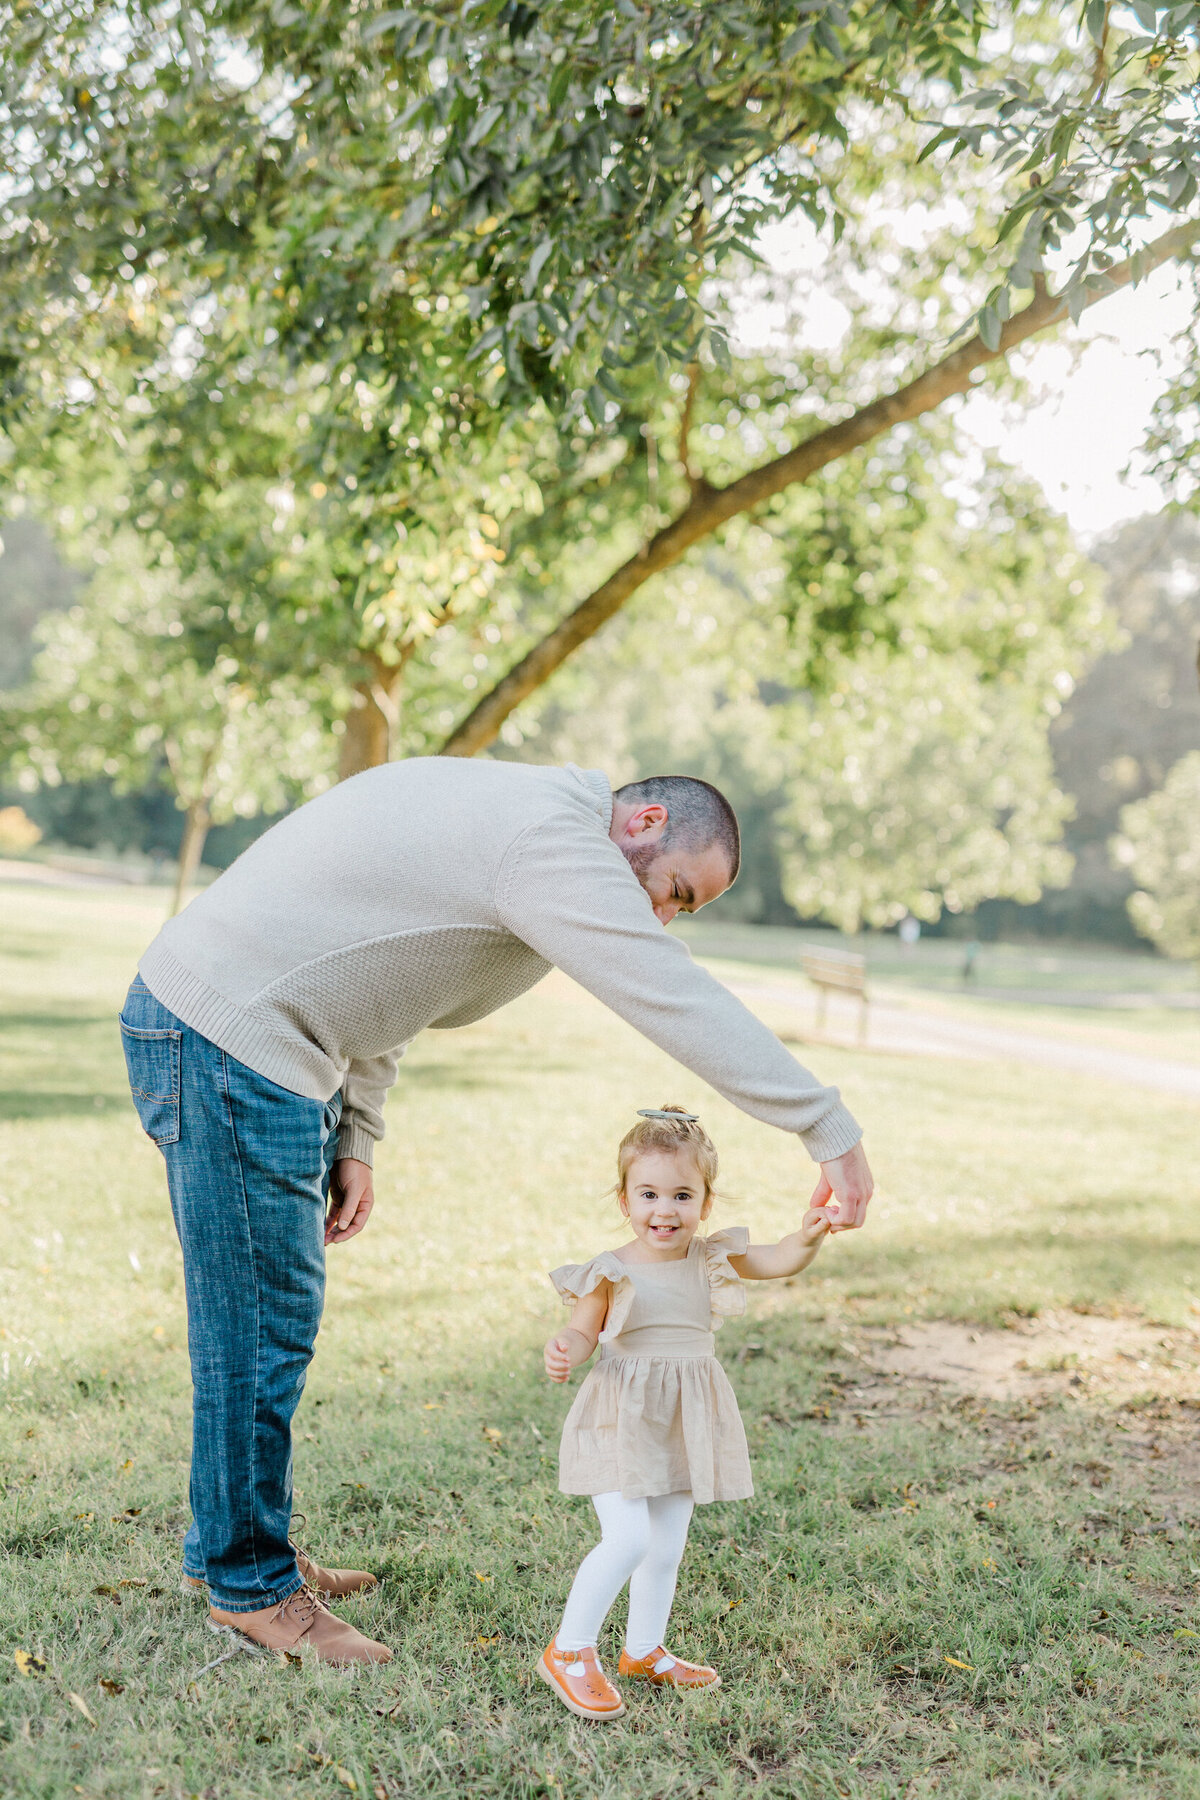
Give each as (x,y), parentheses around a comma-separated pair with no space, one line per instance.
(265,1029)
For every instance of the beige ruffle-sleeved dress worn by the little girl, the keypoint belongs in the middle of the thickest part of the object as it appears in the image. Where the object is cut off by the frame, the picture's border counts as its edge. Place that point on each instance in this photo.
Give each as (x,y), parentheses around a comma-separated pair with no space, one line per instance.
(658,1416)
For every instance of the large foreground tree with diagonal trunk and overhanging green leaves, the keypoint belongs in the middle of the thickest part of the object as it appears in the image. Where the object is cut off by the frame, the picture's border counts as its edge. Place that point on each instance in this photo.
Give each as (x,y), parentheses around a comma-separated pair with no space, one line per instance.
(501,224)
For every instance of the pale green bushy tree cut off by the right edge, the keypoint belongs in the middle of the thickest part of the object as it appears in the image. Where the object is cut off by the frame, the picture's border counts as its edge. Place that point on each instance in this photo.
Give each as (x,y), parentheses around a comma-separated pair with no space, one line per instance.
(1160,845)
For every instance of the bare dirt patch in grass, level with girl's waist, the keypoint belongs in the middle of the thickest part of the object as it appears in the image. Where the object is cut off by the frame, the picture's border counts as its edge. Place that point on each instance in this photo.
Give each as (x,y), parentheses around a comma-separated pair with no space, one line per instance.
(1055,1354)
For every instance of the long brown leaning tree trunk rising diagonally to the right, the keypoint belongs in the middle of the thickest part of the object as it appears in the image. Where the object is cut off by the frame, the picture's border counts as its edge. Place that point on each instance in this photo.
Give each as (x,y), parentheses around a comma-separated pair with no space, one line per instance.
(712,508)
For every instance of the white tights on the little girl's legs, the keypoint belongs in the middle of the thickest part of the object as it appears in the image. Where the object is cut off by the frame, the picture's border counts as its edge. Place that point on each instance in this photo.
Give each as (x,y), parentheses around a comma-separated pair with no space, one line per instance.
(641,1543)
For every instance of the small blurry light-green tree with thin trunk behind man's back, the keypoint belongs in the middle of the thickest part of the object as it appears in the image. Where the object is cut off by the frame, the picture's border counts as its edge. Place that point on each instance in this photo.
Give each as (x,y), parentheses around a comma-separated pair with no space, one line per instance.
(118,692)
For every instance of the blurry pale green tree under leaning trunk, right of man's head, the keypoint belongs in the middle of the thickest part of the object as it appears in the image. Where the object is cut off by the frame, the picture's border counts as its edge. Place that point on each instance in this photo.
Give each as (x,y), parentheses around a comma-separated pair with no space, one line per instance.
(888,784)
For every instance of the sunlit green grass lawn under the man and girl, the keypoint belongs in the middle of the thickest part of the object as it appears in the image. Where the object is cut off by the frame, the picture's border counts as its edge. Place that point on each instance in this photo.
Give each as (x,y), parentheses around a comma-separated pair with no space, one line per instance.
(933,1592)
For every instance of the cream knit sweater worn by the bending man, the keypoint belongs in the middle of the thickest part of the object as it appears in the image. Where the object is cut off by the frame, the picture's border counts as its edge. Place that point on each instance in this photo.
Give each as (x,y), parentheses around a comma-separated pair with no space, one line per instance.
(429,894)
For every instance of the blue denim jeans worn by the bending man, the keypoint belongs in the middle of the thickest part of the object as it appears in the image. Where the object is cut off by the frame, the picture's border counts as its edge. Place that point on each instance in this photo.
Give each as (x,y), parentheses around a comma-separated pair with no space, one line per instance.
(249,1173)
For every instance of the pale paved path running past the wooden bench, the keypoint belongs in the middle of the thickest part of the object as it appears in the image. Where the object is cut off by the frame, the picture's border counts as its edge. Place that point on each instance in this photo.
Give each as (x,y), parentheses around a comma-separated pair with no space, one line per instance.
(927,1034)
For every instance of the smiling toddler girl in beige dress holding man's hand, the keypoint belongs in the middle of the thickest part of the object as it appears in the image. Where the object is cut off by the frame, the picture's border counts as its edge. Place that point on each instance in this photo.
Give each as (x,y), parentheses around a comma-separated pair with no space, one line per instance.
(656,1428)
